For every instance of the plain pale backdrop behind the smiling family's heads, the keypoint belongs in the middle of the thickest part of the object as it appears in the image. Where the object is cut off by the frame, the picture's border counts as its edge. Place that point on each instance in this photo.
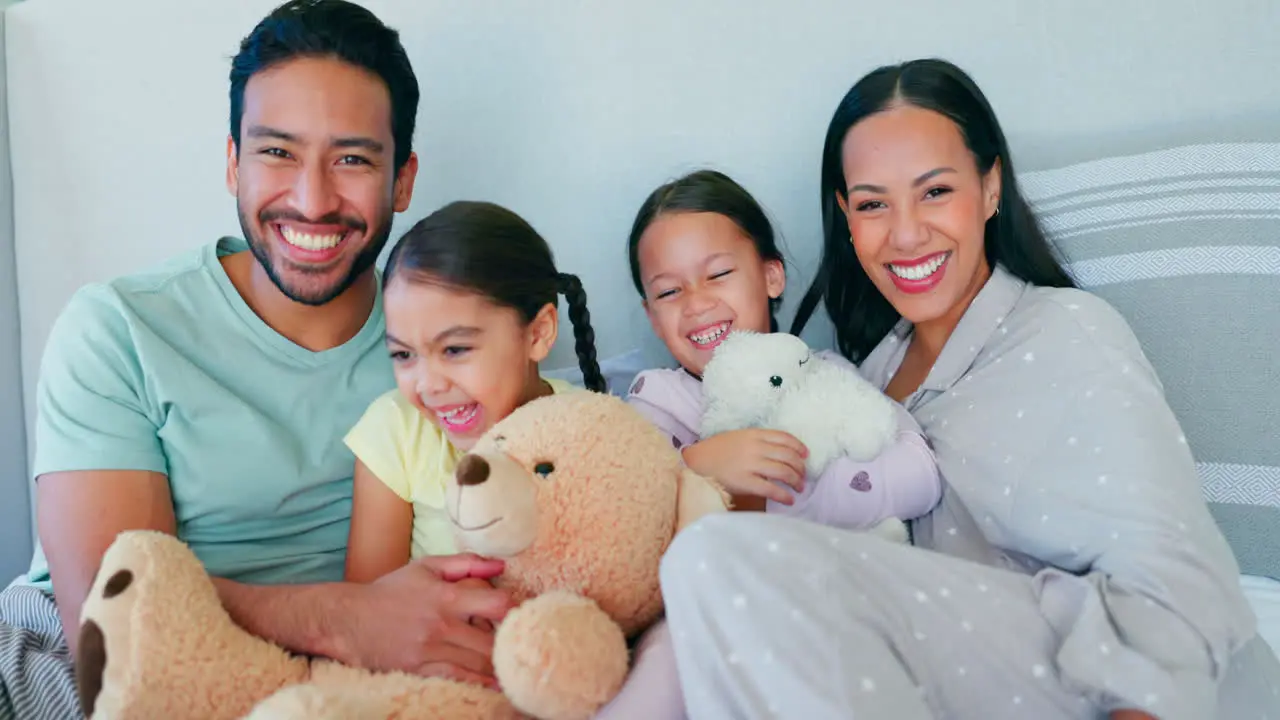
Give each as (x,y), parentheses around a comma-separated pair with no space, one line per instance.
(572,112)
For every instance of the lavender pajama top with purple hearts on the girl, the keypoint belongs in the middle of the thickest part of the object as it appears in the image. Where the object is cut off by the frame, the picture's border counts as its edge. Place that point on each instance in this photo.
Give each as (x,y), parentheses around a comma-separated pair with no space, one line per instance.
(903,482)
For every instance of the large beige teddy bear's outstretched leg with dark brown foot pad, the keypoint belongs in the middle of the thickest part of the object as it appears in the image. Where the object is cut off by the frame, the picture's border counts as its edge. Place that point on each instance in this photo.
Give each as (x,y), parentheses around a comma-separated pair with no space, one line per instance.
(157,642)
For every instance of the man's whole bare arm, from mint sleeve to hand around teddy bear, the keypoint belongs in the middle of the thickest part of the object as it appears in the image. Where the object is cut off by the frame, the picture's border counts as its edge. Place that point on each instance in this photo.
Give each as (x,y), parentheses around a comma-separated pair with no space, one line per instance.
(414,619)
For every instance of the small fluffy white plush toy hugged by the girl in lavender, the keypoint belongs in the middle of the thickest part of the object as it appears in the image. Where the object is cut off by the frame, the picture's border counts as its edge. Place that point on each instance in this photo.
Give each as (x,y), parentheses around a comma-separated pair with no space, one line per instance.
(775,381)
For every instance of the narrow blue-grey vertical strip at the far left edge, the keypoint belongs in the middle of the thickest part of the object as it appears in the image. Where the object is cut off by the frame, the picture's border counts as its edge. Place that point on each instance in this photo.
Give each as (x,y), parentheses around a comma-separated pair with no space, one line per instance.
(15,514)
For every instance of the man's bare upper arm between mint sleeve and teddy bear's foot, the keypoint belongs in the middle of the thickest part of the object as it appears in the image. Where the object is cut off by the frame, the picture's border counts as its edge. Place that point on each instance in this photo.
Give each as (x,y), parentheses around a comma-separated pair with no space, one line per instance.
(80,514)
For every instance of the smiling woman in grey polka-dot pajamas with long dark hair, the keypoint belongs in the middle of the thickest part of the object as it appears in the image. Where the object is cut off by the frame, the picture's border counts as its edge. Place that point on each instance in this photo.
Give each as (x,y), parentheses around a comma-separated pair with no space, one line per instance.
(1072,569)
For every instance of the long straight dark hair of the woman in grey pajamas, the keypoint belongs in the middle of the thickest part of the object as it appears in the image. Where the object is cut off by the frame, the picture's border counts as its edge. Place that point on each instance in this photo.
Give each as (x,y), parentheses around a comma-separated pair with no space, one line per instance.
(1014,239)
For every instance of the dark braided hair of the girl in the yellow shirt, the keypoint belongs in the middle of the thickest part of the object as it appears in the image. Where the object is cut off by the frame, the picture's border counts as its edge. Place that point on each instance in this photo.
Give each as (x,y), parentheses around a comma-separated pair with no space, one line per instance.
(487,249)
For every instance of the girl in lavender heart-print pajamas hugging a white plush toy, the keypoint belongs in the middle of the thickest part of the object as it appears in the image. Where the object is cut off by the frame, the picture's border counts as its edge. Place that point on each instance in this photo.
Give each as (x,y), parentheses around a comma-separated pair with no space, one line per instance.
(705,259)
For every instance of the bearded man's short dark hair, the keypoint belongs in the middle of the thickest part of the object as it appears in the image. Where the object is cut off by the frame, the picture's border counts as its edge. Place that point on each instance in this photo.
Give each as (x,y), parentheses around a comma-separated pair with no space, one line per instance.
(331,29)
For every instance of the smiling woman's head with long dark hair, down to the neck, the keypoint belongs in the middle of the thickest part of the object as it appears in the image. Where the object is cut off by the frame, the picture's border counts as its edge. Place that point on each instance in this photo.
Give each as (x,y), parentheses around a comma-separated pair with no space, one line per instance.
(917,186)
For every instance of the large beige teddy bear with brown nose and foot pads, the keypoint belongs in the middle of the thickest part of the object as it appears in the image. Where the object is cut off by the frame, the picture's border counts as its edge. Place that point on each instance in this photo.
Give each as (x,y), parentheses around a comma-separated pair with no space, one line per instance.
(578,493)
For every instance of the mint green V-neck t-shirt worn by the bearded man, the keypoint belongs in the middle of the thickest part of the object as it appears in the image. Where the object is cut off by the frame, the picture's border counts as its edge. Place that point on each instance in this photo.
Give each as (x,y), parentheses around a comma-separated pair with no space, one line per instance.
(171,371)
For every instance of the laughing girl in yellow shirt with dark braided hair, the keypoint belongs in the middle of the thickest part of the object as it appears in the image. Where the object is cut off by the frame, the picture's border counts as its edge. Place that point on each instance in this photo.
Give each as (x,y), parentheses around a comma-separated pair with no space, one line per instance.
(470,298)
